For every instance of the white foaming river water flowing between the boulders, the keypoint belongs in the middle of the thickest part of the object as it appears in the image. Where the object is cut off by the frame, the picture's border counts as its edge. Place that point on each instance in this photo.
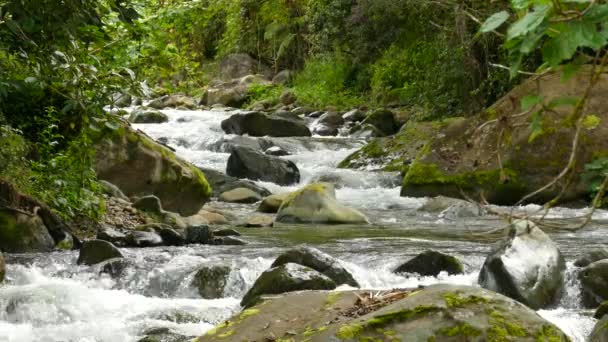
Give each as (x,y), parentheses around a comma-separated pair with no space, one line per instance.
(49,298)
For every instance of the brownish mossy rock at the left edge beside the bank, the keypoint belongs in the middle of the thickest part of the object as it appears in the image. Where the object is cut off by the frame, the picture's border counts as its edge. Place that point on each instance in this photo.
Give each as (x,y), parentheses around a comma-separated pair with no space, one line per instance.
(23,233)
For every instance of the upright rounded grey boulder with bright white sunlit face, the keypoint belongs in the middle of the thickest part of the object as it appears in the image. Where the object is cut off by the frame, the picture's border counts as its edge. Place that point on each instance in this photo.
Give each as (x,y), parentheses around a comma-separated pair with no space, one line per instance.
(526,266)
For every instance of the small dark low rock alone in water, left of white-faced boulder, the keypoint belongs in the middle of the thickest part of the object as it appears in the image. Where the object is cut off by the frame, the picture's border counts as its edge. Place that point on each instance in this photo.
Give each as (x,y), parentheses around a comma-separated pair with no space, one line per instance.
(431,263)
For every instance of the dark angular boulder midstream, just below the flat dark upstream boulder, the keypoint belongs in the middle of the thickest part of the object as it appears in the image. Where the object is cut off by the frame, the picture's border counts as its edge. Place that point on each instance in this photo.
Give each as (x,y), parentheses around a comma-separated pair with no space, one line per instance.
(247,163)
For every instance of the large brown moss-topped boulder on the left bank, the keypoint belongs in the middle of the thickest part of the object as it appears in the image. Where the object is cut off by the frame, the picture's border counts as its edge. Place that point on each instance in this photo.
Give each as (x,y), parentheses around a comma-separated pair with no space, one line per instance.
(140,167)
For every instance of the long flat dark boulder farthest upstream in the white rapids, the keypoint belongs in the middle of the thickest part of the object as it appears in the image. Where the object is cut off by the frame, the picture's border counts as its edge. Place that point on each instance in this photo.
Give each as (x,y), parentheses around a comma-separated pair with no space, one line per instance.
(258,124)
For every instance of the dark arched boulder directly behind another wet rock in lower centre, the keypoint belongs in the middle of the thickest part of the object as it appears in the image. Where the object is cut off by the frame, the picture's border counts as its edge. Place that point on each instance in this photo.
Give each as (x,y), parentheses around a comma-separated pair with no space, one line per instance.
(318,261)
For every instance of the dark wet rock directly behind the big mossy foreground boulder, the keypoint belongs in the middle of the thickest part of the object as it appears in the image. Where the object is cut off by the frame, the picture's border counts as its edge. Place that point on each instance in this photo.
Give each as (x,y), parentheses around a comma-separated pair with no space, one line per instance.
(286,278)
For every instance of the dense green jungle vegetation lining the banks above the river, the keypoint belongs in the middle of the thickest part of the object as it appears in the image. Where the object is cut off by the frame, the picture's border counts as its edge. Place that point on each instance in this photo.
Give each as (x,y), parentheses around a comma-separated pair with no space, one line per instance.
(62,61)
